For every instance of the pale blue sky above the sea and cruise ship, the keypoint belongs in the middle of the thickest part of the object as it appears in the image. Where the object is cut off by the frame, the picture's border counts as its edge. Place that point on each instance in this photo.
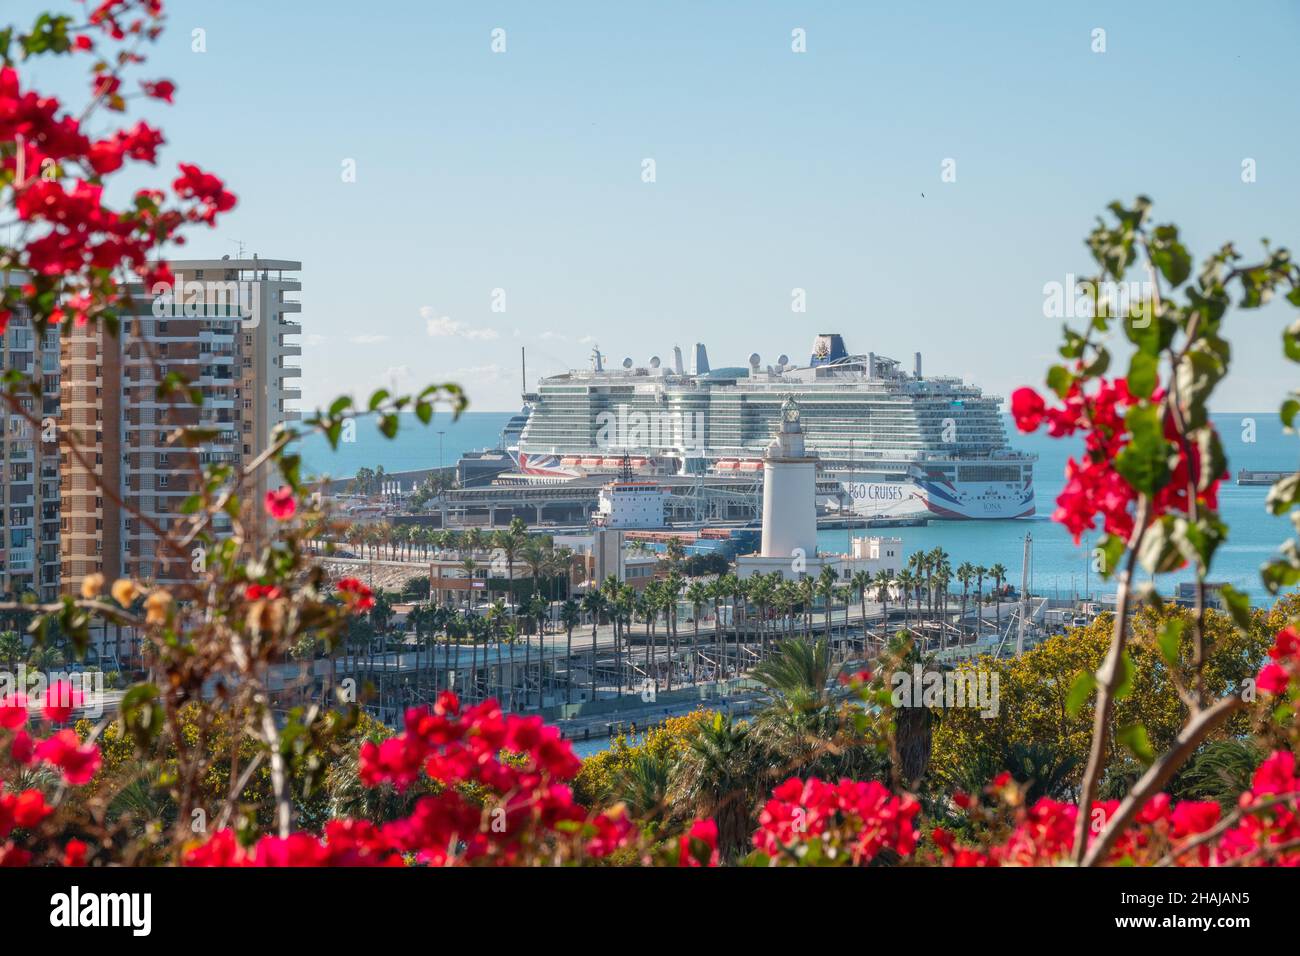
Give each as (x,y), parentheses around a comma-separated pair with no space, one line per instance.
(522,171)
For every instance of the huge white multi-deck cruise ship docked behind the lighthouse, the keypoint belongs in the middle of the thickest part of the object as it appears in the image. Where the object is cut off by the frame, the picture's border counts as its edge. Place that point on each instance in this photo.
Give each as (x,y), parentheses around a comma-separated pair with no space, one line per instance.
(899,444)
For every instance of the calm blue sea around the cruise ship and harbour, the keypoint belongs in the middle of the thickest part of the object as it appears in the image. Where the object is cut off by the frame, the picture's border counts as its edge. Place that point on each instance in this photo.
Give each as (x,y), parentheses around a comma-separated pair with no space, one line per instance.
(1059,568)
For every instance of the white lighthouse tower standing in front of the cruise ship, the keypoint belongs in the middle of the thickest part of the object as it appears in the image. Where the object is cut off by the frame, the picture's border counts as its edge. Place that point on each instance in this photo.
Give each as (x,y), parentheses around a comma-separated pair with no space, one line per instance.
(790,491)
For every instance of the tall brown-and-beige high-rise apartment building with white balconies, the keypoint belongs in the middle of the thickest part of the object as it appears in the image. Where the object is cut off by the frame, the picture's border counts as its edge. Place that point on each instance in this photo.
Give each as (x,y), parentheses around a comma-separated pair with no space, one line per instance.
(227,328)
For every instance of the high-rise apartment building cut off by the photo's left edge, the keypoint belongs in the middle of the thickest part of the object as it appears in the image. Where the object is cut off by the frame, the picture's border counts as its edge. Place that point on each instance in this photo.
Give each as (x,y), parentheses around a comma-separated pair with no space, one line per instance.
(29,465)
